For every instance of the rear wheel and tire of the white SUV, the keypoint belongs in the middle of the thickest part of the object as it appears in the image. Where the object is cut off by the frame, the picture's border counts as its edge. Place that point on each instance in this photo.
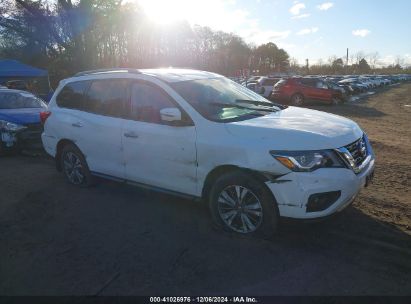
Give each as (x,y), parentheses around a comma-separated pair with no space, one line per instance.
(74,167)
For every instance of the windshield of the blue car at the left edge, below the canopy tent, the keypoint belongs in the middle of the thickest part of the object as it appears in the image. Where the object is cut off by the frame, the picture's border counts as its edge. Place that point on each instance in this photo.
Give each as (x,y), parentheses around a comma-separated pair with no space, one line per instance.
(13,100)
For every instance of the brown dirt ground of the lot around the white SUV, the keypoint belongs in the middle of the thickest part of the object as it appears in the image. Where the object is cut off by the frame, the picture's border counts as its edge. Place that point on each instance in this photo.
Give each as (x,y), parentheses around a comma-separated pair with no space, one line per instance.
(115,239)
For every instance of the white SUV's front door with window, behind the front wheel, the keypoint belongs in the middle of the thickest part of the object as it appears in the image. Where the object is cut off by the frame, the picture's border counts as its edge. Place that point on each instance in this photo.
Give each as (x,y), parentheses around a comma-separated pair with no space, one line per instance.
(158,153)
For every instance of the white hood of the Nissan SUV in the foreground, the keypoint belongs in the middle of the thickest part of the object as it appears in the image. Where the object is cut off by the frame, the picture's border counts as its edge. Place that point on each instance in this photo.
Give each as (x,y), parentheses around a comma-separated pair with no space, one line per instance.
(298,129)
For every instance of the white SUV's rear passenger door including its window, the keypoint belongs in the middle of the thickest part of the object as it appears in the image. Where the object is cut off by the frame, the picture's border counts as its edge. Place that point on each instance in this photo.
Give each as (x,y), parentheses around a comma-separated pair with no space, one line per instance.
(101,123)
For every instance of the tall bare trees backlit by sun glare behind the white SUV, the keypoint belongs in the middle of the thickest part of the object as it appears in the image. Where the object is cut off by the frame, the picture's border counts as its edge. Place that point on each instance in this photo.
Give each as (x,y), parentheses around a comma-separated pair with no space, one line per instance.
(66,36)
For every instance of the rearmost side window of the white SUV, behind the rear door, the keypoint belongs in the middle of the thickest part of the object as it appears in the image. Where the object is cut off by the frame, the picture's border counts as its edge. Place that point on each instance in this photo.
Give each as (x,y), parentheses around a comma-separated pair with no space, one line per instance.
(71,96)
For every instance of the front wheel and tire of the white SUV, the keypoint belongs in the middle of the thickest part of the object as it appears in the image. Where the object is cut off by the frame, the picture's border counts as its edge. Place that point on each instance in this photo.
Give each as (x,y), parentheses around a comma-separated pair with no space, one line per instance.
(255,215)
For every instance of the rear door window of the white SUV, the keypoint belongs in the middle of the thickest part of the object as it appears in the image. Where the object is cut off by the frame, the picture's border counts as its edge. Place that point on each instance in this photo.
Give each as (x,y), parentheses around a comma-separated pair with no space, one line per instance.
(107,97)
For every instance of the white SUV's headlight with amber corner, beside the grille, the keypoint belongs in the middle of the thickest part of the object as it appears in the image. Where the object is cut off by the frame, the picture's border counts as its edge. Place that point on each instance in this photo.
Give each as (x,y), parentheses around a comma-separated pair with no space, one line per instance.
(307,161)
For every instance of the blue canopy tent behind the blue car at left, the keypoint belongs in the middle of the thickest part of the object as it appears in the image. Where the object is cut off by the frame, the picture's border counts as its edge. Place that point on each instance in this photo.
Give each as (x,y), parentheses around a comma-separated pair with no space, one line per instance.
(15,70)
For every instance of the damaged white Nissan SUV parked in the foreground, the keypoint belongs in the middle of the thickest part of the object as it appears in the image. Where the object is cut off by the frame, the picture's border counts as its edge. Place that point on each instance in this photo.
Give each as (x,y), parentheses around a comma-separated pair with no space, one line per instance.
(201,135)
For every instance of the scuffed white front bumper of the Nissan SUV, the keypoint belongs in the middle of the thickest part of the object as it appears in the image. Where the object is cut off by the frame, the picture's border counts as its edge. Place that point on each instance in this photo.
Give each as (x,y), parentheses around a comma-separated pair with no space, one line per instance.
(292,191)
